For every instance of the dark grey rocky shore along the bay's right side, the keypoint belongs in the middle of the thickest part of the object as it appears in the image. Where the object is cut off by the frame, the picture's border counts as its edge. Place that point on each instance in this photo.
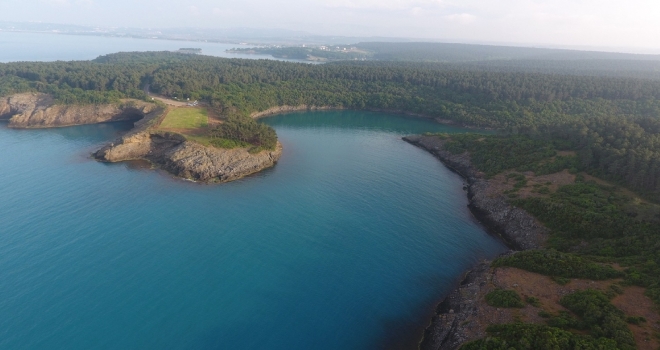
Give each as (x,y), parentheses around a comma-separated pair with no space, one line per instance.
(519,230)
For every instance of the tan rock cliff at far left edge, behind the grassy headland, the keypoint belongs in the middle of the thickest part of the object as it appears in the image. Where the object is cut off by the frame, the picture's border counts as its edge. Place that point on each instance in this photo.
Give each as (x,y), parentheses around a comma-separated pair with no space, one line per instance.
(35,110)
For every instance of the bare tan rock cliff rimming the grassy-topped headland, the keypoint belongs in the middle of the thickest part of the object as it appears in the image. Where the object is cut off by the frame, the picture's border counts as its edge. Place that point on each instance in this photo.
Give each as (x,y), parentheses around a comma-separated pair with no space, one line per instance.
(187,159)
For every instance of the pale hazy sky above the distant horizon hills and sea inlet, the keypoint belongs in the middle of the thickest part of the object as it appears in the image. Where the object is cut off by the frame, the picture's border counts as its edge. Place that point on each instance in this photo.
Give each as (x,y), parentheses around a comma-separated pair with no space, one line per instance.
(595,23)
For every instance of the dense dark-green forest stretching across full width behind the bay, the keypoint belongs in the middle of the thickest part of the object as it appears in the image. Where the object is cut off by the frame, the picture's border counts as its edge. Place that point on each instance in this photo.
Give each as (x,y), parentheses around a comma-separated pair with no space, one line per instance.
(613,121)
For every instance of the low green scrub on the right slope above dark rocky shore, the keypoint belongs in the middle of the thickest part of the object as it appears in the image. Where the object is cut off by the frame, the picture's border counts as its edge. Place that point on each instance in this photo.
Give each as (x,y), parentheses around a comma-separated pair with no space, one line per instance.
(595,225)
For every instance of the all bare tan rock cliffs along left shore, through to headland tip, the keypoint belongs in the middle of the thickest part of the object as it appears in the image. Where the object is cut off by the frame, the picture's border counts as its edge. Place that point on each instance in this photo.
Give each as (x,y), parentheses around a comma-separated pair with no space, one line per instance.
(169,150)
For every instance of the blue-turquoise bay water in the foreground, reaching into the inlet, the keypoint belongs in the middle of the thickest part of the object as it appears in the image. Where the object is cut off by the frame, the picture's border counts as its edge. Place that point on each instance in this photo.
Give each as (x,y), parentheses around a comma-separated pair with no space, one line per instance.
(347,243)
